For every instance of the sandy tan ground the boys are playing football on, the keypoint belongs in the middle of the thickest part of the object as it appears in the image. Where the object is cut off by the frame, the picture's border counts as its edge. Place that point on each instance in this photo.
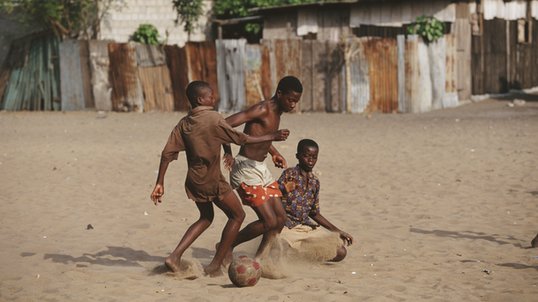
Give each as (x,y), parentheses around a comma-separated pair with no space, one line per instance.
(442,206)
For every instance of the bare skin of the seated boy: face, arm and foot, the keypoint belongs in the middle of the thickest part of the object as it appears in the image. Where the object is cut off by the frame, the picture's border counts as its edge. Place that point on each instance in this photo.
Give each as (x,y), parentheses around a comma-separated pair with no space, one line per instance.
(308,158)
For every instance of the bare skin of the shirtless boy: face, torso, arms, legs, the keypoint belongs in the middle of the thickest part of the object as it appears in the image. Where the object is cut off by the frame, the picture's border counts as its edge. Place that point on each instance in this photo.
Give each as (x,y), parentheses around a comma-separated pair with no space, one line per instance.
(261,119)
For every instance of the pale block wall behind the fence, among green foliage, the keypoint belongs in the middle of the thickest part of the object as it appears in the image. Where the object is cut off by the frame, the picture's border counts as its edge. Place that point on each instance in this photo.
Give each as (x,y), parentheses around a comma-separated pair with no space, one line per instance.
(122,22)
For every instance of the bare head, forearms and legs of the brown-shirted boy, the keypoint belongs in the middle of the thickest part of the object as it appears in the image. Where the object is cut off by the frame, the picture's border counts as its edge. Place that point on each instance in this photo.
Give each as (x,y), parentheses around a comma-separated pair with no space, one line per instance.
(229,204)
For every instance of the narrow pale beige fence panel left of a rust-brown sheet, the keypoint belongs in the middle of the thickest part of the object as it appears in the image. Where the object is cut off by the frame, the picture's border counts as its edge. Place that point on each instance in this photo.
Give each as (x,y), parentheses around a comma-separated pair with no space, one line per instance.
(99,66)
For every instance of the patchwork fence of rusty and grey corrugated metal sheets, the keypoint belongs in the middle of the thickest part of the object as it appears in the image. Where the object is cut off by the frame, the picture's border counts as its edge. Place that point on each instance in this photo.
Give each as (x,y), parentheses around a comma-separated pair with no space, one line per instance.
(364,74)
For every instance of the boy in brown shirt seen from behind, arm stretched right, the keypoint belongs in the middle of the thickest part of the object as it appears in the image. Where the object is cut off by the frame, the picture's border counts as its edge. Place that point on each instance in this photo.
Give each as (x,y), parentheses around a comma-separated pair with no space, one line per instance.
(200,134)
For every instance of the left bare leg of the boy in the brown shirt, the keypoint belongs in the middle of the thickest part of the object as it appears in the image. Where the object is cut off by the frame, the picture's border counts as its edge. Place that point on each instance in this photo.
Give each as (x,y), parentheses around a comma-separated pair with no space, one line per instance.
(193,232)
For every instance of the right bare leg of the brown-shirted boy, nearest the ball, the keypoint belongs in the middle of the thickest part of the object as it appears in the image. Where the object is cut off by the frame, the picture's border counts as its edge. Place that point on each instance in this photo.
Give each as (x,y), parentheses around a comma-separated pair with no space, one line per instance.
(233,209)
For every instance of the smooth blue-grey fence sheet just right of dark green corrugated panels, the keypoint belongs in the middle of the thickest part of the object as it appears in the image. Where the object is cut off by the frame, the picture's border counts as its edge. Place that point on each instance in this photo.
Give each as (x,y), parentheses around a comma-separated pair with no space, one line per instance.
(71,85)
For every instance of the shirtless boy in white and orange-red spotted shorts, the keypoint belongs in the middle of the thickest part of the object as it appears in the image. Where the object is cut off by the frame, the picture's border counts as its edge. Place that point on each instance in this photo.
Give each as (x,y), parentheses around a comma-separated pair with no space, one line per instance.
(249,174)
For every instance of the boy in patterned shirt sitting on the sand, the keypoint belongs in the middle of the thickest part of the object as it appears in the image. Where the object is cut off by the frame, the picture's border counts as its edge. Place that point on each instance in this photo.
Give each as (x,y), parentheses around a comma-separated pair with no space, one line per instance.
(300,189)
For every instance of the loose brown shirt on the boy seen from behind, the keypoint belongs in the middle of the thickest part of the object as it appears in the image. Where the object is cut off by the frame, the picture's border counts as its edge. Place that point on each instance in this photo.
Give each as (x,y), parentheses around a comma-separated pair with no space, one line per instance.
(201,134)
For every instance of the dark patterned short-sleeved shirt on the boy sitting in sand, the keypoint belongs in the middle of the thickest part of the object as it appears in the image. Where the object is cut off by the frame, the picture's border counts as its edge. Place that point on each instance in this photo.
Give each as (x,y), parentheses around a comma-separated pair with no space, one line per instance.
(300,196)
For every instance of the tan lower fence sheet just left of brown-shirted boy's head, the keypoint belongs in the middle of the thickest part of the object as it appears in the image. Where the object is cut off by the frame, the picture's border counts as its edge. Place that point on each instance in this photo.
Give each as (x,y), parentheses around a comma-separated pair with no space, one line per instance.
(157,88)
